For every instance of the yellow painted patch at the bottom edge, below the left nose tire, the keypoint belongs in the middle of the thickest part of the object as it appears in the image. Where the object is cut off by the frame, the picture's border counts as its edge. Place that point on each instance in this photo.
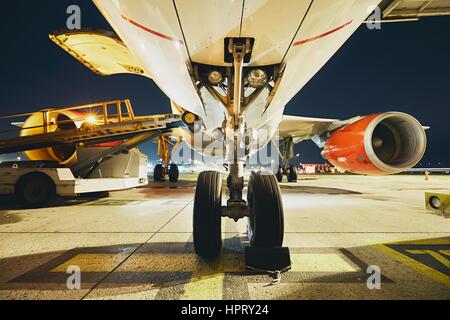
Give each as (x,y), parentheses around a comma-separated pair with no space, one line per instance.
(204,288)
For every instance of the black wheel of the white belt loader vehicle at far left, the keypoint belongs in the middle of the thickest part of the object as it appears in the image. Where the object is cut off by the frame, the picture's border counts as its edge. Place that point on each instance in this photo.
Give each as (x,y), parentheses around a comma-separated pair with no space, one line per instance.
(35,190)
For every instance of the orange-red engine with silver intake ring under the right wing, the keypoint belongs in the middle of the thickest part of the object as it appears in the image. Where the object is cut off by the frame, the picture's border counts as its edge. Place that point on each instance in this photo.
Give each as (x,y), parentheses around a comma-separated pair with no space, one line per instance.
(385,143)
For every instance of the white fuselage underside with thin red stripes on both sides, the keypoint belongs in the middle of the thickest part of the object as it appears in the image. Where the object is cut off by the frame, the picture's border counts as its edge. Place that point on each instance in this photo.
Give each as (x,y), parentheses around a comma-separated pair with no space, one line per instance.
(167,36)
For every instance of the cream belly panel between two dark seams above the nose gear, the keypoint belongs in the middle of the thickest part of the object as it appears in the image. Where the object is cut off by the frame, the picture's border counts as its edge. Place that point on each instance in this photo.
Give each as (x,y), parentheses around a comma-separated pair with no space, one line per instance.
(272,23)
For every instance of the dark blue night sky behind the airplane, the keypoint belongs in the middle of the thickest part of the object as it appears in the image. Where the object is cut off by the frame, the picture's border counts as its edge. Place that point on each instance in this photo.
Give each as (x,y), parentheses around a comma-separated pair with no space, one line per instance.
(403,67)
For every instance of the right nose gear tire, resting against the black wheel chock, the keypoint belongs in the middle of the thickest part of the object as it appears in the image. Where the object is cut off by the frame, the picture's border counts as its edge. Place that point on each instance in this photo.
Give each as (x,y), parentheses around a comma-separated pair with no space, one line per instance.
(266,221)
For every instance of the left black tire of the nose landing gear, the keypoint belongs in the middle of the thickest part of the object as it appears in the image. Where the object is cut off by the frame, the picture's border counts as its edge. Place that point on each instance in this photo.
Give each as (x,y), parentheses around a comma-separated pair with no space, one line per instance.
(207,215)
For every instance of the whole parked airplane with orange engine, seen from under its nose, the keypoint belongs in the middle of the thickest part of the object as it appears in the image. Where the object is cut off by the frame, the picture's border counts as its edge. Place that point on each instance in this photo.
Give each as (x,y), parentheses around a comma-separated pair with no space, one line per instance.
(229,68)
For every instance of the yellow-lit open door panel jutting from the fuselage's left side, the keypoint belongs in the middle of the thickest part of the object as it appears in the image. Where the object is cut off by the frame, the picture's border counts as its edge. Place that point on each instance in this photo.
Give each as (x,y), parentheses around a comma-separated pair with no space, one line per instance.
(101,51)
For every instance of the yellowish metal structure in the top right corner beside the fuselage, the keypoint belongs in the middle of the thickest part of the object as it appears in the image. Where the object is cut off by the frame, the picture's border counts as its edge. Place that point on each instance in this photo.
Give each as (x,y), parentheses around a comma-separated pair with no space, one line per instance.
(411,10)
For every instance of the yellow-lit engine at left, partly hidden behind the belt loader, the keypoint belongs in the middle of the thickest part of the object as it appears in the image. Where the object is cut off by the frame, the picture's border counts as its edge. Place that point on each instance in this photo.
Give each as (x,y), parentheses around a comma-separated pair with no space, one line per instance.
(58,120)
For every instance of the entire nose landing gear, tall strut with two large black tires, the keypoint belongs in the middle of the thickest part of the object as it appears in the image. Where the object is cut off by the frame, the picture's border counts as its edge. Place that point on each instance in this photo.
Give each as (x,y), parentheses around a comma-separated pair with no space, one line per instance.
(263,207)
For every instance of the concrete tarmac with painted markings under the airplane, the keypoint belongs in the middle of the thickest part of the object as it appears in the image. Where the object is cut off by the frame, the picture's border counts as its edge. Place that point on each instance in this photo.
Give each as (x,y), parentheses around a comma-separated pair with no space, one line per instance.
(350,237)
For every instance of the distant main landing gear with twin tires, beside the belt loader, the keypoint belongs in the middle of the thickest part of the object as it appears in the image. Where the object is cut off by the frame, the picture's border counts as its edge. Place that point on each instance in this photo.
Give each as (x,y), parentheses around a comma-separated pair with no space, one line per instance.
(162,170)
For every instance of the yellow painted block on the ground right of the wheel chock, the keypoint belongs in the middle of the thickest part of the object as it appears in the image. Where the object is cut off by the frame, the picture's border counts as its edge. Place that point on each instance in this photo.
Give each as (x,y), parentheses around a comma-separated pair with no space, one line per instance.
(320,262)
